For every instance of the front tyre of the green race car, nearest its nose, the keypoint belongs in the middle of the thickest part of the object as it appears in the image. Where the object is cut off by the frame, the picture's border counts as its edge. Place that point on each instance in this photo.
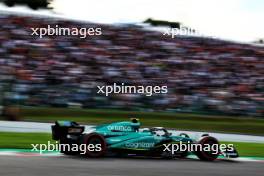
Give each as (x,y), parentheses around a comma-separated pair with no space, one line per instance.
(207,155)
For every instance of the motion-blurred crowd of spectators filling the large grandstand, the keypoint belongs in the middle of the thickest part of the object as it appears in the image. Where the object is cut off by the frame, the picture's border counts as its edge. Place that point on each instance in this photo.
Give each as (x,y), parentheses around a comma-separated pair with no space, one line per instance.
(202,75)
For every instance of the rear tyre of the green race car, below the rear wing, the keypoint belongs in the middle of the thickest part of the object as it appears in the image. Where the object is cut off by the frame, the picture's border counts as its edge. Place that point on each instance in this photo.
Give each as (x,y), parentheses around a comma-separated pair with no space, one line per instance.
(96,145)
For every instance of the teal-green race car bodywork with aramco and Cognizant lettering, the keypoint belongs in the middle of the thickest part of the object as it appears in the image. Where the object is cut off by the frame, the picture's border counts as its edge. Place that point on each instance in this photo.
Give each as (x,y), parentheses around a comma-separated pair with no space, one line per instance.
(126,135)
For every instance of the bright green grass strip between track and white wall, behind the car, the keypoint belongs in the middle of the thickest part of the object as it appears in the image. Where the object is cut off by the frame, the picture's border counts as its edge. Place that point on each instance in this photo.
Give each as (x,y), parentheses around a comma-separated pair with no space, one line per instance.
(24,141)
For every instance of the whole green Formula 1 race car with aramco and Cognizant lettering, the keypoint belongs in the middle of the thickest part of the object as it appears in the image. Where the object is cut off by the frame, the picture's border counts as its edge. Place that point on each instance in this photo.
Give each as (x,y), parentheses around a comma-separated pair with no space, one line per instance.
(127,139)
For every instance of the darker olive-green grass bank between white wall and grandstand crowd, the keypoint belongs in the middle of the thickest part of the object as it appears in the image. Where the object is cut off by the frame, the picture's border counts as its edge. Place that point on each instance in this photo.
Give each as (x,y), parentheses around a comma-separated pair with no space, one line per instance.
(183,121)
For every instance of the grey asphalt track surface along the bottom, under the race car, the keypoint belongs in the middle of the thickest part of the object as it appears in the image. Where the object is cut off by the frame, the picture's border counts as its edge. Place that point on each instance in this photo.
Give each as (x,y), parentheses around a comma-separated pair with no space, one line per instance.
(76,166)
